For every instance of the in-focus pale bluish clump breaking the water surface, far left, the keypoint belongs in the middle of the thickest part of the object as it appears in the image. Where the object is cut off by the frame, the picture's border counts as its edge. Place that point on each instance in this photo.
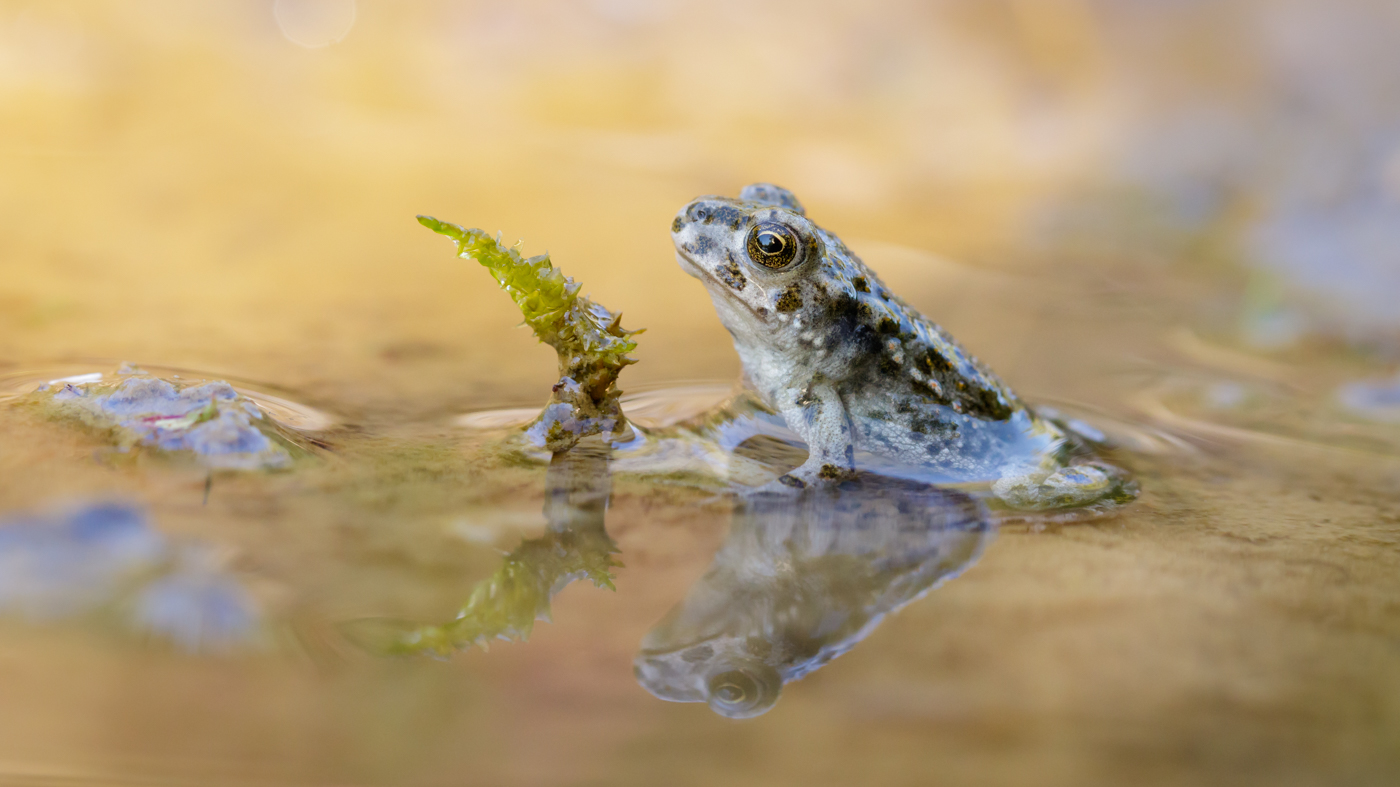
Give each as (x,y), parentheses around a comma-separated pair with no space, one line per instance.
(212,421)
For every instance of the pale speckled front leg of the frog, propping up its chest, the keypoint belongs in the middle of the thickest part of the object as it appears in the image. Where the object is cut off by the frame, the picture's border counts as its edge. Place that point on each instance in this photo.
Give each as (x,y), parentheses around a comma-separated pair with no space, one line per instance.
(820,418)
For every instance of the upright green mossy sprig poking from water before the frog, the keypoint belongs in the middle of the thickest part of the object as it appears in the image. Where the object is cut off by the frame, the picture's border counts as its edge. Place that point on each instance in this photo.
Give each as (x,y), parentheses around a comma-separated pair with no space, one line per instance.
(591,344)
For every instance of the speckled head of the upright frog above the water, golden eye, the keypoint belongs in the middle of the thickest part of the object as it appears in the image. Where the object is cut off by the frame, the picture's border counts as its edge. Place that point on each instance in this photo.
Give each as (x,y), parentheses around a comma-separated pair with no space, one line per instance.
(754,254)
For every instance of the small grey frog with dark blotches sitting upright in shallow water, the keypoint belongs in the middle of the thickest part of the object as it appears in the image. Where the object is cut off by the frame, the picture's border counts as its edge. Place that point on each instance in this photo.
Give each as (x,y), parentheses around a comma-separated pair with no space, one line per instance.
(862,376)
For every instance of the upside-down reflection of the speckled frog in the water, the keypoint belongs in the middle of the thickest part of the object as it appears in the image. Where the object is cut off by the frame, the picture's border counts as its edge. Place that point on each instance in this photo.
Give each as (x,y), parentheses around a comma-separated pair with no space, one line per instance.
(800,580)
